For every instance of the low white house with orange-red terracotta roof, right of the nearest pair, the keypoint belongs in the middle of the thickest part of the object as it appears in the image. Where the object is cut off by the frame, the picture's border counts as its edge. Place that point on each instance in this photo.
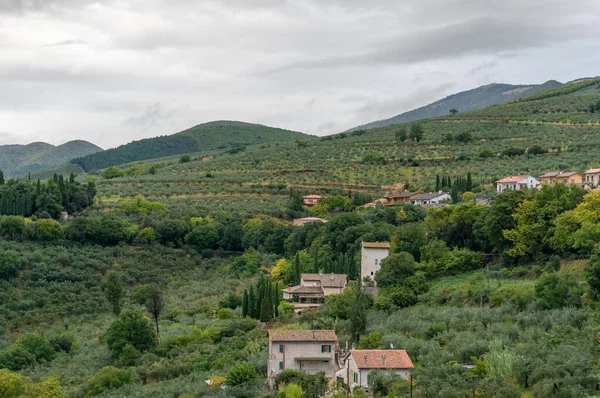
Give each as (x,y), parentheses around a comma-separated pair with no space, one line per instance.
(359,363)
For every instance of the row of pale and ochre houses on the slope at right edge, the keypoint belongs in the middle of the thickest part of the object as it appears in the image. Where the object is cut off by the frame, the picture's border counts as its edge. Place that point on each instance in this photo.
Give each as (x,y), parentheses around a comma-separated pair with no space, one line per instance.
(586,180)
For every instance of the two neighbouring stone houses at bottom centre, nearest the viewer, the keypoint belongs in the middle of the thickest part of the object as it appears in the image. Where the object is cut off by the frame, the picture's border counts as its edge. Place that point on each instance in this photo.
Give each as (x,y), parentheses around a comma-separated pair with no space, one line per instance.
(316,351)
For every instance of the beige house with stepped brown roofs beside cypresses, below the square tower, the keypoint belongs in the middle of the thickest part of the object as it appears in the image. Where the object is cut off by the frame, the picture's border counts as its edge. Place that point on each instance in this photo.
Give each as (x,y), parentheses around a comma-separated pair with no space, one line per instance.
(314,288)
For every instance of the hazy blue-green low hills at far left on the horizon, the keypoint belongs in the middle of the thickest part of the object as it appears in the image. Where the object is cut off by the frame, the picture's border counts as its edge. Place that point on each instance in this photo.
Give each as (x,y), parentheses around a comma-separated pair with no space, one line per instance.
(18,160)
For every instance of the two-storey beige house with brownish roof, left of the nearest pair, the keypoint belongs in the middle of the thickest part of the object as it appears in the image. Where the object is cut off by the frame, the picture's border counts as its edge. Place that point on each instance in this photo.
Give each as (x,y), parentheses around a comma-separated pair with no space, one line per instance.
(309,351)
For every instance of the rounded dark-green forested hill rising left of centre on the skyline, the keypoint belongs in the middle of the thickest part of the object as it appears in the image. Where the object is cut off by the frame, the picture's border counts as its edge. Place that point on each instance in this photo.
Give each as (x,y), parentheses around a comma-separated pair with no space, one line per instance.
(200,138)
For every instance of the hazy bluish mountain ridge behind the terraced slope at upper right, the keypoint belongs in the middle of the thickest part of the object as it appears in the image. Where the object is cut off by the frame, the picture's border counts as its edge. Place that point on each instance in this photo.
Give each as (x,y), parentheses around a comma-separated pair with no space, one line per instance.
(478,98)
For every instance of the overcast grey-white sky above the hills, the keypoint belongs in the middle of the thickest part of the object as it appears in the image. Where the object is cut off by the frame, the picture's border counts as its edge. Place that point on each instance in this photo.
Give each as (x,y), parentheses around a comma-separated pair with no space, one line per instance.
(114,71)
